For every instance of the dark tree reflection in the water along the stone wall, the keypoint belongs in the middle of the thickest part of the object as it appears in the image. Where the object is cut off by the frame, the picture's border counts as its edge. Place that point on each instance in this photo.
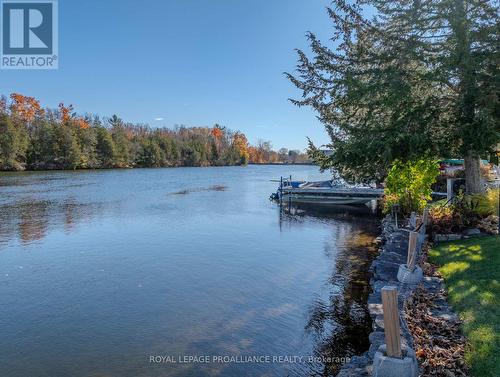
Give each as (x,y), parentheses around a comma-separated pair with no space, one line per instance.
(340,323)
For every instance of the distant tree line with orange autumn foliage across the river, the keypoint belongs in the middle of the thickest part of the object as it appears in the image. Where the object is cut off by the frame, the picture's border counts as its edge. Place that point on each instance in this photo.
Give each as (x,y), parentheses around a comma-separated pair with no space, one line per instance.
(35,138)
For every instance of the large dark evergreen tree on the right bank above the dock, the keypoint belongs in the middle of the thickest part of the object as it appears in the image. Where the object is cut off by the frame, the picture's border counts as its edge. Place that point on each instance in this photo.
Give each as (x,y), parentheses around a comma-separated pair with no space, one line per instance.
(420,78)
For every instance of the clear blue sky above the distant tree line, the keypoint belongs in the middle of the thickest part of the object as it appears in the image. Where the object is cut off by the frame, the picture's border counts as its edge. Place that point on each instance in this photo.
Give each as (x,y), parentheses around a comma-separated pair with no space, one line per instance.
(192,62)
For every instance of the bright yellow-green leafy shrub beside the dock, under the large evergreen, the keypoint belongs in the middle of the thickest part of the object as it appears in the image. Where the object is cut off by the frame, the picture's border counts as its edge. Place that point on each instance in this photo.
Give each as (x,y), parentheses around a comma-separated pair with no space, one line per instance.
(409,184)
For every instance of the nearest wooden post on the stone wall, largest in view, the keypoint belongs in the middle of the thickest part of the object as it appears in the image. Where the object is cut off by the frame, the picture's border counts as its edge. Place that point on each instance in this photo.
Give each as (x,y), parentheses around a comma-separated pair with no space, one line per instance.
(391,321)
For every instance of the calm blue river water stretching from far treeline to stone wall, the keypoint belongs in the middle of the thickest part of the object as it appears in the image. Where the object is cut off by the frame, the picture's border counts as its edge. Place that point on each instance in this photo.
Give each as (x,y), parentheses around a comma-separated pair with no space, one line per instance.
(104,273)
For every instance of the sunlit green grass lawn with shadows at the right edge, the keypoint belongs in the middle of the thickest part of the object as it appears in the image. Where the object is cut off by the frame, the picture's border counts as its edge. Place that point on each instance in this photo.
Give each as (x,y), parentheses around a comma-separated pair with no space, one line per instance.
(471,270)
